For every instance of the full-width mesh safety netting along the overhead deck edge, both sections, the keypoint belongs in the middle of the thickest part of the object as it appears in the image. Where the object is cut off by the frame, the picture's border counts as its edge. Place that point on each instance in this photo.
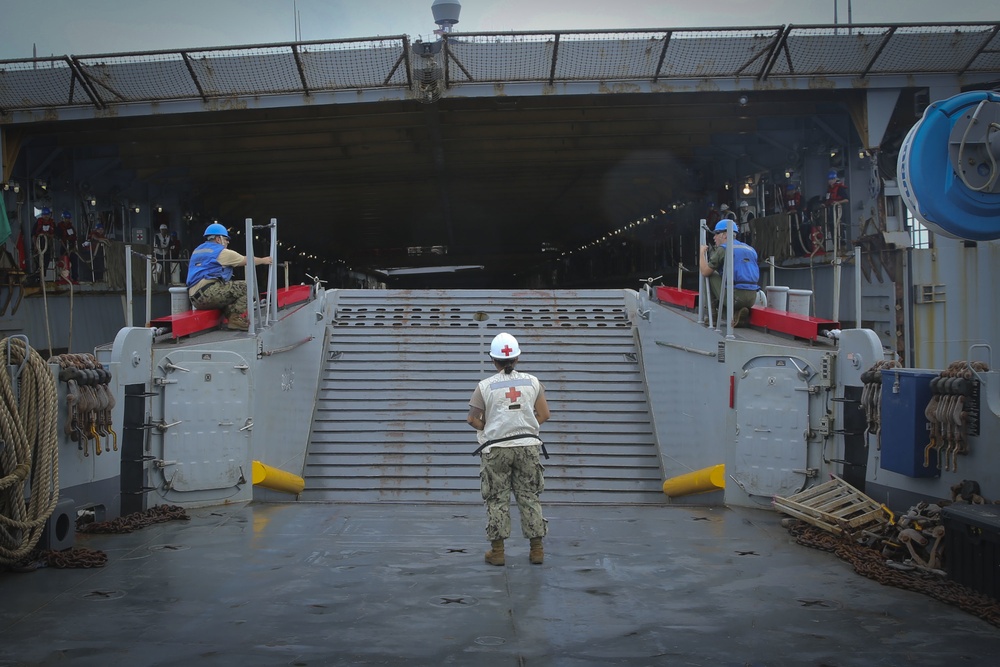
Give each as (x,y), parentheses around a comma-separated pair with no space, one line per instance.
(609,57)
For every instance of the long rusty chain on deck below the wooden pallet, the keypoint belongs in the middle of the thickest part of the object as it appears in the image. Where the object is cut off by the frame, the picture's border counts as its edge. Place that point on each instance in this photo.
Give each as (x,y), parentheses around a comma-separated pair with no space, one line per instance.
(870,563)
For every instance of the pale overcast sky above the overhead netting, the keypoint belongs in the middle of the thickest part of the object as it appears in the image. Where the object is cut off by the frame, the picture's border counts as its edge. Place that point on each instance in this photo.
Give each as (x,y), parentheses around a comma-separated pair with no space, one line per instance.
(80,27)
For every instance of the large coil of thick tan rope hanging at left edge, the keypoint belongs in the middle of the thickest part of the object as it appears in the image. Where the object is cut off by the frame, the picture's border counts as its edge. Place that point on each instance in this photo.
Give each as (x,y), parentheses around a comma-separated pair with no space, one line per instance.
(29,454)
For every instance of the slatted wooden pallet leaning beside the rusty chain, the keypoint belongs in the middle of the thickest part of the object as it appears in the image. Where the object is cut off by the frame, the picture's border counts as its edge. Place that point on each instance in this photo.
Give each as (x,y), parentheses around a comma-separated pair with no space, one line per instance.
(834,506)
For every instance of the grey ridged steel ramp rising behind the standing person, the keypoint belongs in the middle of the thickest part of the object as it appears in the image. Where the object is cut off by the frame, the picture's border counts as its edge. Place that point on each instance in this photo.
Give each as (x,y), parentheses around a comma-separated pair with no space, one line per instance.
(400,367)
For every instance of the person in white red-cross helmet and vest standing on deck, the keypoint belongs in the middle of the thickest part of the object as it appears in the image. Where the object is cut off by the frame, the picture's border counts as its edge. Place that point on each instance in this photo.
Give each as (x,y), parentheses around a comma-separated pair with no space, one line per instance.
(506,409)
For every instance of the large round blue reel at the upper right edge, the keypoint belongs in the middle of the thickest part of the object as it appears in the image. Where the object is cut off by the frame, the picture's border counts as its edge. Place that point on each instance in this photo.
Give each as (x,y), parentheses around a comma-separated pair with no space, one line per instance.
(949,167)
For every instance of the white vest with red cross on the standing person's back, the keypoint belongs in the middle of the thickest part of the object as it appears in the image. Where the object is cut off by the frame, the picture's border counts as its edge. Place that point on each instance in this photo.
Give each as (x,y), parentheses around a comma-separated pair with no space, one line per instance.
(510,408)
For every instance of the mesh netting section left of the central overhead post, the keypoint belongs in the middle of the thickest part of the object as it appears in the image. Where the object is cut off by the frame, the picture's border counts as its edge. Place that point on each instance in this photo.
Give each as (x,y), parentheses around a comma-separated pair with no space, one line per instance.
(109,79)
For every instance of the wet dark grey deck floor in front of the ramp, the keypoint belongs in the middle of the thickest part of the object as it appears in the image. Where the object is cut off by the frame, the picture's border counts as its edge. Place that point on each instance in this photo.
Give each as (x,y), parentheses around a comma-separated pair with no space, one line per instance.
(393,584)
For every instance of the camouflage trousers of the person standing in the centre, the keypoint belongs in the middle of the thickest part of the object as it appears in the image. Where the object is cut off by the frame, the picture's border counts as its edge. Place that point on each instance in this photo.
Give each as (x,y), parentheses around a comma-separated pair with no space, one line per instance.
(517,469)
